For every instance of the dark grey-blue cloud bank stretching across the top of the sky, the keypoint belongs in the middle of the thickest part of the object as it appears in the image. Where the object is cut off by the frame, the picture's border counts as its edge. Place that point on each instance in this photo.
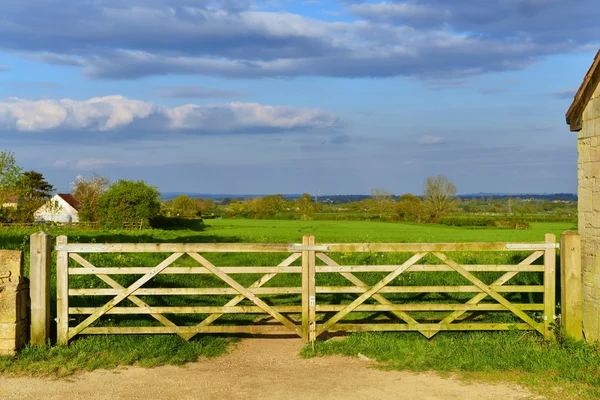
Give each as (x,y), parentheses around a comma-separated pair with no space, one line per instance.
(426,39)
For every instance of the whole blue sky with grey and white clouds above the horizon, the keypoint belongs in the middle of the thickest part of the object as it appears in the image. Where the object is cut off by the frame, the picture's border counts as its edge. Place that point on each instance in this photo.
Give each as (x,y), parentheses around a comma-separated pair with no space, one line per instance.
(281,96)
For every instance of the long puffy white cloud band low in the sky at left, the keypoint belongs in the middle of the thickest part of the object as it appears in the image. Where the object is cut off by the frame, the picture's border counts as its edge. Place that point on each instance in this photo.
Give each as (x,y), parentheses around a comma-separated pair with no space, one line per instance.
(117,112)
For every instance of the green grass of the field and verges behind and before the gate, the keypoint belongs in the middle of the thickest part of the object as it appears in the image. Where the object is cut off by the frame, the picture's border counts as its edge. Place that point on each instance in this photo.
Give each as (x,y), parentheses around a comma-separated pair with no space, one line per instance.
(554,362)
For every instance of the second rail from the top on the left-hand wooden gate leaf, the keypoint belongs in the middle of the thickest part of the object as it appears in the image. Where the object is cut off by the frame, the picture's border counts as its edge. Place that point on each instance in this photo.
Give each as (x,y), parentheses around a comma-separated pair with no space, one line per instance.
(184,270)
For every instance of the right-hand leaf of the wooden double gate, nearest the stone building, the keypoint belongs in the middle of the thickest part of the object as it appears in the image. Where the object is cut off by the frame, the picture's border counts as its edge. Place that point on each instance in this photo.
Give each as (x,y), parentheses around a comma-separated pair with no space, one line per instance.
(493,291)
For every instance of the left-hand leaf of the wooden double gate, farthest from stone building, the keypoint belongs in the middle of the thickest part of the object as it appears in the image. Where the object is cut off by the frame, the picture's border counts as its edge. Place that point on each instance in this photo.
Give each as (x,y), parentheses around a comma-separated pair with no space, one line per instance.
(67,251)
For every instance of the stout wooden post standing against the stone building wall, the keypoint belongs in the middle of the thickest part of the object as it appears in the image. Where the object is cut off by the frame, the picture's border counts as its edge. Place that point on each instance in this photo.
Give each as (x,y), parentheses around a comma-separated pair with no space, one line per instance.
(571,302)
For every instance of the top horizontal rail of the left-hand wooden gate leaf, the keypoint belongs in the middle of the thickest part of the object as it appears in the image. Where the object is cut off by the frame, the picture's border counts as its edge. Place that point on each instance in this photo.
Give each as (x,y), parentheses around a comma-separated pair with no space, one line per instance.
(174,248)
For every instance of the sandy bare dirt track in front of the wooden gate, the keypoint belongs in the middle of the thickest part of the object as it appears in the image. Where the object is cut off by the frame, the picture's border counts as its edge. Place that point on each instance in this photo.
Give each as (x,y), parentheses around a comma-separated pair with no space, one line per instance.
(257,369)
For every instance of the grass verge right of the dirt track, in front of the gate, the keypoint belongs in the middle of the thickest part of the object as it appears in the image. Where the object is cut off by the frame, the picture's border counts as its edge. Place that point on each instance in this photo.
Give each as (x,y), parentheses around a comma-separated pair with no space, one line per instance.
(556,369)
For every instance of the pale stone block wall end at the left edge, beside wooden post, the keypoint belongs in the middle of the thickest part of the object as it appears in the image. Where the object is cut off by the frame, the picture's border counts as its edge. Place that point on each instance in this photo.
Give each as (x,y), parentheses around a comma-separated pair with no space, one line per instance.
(14,302)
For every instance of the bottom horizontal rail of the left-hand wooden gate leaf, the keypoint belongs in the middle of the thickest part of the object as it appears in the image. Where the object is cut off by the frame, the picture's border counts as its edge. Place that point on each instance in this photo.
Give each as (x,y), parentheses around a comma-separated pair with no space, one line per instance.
(190,330)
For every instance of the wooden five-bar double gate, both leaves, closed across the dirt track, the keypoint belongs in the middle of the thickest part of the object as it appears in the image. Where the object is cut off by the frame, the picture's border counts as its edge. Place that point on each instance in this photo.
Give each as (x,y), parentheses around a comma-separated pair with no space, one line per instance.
(316,313)
